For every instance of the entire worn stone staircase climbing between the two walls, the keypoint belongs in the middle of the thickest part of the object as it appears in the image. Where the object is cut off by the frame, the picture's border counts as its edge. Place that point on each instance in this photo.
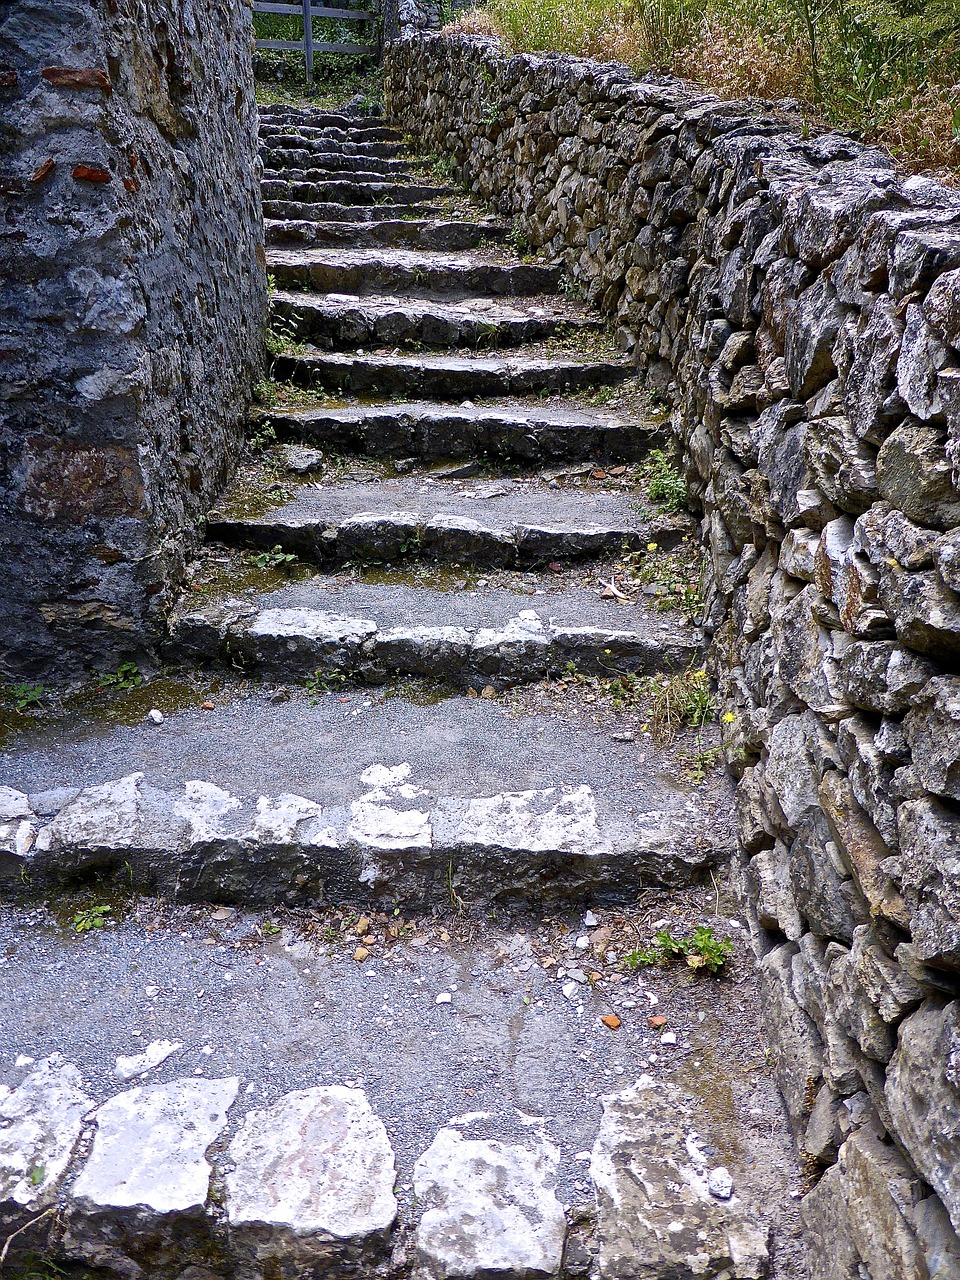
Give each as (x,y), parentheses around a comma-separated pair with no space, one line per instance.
(392,1076)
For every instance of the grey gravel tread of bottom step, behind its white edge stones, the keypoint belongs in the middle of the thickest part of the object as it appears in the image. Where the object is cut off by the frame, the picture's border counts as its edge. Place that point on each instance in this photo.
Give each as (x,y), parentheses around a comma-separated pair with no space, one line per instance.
(286,1002)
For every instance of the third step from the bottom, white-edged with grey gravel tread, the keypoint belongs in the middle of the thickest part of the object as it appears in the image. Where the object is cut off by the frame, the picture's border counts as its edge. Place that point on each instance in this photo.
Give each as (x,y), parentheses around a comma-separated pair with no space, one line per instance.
(377,632)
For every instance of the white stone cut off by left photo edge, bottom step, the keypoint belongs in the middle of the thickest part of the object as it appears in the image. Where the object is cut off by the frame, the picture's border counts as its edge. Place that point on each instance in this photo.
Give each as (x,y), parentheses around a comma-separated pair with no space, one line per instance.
(40,1124)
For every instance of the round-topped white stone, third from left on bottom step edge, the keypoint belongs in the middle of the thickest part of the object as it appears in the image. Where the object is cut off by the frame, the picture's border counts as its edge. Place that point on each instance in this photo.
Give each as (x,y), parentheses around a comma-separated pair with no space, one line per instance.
(310,1182)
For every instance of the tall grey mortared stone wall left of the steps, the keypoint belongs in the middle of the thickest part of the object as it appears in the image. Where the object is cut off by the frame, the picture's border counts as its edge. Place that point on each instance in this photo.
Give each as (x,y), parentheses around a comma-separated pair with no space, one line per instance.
(131,316)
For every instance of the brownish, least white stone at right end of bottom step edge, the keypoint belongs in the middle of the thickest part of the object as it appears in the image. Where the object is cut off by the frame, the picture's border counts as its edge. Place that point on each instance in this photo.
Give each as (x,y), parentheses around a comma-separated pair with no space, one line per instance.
(657,1218)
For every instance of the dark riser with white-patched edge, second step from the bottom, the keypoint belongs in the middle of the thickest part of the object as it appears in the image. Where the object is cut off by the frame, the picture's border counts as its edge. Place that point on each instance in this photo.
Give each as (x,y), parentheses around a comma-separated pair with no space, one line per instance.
(326,861)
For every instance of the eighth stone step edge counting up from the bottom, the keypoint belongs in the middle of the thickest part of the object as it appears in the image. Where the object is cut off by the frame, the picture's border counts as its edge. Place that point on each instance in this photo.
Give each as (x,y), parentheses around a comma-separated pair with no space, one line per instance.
(409,272)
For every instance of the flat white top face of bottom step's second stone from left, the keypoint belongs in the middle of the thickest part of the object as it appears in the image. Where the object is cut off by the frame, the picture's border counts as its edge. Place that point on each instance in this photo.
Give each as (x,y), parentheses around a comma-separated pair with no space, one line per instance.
(150,1148)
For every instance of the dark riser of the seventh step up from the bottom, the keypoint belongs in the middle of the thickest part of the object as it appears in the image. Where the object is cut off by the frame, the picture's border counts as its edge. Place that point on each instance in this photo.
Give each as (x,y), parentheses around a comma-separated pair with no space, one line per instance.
(355,327)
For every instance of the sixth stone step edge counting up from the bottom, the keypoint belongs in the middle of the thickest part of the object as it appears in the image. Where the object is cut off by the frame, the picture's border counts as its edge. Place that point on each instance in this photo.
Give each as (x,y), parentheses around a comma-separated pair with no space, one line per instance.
(452,378)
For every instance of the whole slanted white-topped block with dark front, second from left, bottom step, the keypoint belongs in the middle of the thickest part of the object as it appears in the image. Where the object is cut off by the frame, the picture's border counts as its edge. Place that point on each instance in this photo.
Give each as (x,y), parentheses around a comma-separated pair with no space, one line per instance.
(139,1203)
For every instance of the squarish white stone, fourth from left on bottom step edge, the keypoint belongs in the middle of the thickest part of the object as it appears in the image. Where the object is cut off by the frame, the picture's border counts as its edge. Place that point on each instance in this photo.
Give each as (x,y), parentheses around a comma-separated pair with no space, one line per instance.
(490,1209)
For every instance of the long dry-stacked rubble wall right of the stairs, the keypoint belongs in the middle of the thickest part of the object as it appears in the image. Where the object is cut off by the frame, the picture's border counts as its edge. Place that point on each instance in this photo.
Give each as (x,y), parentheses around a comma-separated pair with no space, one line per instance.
(799,303)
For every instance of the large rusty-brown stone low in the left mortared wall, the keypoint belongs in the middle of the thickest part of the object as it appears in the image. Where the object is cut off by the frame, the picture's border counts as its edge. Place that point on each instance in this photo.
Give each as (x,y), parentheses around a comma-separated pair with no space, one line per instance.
(68,482)
